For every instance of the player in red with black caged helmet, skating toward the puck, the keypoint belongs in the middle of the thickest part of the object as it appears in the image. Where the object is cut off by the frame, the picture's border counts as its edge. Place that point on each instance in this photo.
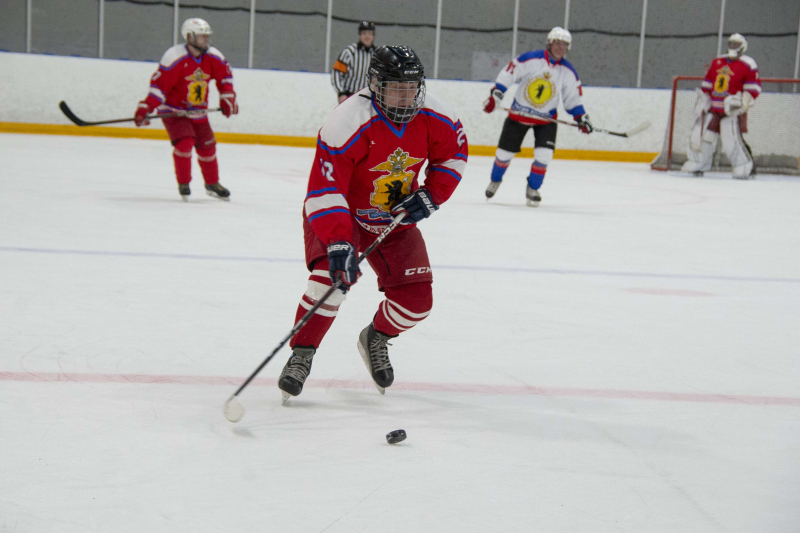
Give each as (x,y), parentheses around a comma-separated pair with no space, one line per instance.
(370,153)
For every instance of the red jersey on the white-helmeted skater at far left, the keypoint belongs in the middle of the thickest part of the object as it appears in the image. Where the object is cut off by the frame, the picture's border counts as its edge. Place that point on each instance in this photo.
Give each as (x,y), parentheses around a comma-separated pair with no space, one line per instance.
(181,81)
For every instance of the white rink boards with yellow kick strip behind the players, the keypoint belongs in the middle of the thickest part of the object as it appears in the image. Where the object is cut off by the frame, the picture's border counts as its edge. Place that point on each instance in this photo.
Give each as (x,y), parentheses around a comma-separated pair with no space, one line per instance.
(281,107)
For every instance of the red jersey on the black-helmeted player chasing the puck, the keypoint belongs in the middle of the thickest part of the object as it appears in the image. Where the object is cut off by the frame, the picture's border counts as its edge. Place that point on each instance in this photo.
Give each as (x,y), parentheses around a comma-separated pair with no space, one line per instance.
(364,164)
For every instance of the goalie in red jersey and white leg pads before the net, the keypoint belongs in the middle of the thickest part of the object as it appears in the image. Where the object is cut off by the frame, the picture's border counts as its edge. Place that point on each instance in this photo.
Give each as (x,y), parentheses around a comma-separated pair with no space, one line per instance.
(729,89)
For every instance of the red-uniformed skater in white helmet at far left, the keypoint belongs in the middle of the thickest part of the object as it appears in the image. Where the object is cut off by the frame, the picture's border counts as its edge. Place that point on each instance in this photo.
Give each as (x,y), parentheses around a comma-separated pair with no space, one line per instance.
(181,84)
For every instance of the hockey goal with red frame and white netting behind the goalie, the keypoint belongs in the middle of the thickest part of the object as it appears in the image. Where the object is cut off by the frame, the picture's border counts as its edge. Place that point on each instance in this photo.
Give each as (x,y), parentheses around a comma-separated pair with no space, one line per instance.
(773,125)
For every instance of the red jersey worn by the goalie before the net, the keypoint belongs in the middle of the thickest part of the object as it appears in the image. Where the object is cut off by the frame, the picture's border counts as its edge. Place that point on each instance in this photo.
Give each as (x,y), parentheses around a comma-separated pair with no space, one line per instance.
(726,77)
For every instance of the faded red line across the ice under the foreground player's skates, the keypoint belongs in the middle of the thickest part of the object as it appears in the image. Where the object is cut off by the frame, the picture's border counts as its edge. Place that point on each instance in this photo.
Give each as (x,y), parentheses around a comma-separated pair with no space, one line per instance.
(464,388)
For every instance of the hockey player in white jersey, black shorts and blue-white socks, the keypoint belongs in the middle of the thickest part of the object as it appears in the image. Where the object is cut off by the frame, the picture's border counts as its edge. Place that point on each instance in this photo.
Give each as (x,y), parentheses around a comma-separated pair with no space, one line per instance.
(544,77)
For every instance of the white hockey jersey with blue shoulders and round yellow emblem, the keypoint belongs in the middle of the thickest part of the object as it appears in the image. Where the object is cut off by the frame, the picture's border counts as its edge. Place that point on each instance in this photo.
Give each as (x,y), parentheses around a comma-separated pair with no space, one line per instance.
(542,81)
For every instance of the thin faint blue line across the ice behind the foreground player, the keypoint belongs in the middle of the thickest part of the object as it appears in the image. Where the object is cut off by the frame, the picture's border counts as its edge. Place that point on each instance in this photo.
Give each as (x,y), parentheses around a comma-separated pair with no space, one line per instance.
(487,268)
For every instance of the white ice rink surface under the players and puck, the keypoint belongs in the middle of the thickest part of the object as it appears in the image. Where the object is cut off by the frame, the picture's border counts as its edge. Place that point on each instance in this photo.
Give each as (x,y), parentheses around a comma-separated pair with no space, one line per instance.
(623,358)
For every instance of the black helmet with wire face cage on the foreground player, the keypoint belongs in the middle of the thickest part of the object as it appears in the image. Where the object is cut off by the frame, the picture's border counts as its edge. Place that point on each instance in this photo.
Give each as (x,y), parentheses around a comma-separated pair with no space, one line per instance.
(397,82)
